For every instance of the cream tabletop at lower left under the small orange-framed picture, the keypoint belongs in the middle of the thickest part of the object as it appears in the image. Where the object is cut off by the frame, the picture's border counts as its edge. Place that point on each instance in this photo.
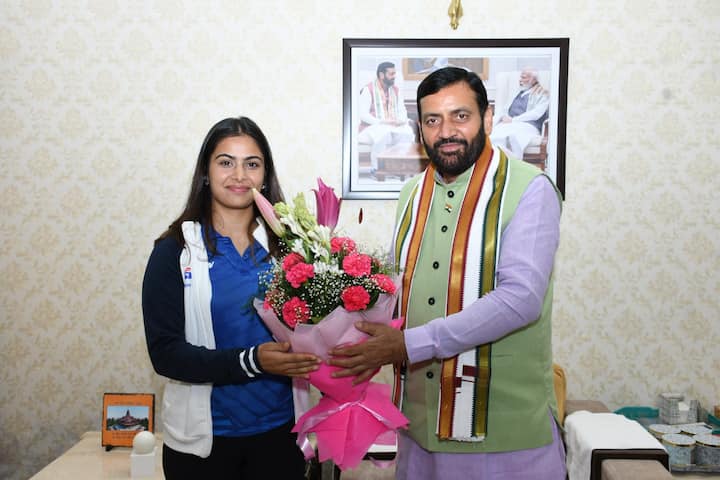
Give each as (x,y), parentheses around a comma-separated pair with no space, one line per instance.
(87,459)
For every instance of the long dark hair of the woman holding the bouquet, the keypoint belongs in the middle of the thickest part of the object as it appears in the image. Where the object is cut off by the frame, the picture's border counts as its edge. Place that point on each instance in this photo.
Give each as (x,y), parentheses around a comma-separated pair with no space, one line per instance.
(198,207)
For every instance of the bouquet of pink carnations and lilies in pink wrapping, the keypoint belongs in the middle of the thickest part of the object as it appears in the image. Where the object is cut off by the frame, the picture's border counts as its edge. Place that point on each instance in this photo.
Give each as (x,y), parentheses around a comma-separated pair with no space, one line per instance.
(315,293)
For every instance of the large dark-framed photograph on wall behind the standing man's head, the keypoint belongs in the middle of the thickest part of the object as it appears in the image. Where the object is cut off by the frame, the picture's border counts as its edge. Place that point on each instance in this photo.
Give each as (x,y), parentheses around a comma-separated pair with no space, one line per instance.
(524,78)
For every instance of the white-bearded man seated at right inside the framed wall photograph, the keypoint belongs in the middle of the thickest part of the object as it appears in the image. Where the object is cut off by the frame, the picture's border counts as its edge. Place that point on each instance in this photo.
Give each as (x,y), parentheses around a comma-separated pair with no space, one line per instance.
(516,123)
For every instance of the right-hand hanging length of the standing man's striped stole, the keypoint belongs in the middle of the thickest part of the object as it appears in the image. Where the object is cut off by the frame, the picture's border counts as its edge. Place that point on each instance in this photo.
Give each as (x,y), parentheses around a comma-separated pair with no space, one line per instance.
(465,380)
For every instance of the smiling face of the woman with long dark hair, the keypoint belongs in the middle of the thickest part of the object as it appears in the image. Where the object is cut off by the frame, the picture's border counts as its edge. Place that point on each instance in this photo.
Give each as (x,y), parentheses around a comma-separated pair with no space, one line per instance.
(236,166)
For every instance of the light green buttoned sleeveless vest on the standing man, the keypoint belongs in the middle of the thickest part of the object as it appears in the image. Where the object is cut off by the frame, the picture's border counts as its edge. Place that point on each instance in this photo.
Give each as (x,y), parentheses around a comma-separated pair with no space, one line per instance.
(521,384)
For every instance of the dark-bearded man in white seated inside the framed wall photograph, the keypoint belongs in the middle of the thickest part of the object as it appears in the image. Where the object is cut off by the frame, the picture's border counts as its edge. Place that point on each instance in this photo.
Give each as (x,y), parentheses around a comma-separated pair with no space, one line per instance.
(383,116)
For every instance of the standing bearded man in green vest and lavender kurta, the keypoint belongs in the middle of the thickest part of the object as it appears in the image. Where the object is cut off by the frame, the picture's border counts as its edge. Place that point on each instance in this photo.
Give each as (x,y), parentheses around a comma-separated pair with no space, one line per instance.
(475,238)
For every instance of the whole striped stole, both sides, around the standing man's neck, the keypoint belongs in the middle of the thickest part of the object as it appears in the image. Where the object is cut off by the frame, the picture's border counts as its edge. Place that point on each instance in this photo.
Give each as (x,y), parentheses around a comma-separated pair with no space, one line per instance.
(465,379)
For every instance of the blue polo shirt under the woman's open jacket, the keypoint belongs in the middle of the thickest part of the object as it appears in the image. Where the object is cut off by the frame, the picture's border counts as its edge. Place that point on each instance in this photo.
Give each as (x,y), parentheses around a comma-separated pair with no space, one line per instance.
(261,403)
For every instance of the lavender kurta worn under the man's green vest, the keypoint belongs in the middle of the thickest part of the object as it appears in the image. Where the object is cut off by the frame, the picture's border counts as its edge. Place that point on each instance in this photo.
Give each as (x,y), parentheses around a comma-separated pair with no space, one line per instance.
(527,253)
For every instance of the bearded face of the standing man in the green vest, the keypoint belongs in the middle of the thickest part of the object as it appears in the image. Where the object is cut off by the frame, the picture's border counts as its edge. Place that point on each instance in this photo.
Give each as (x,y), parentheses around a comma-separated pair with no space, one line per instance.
(452,129)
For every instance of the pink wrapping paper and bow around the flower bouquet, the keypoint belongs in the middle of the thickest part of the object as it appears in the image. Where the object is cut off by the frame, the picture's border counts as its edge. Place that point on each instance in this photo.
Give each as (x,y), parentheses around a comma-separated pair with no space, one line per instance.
(348,419)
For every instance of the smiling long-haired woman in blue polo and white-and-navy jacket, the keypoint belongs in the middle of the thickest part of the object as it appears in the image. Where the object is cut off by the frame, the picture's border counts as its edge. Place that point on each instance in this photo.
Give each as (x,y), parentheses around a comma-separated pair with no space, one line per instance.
(227,407)
